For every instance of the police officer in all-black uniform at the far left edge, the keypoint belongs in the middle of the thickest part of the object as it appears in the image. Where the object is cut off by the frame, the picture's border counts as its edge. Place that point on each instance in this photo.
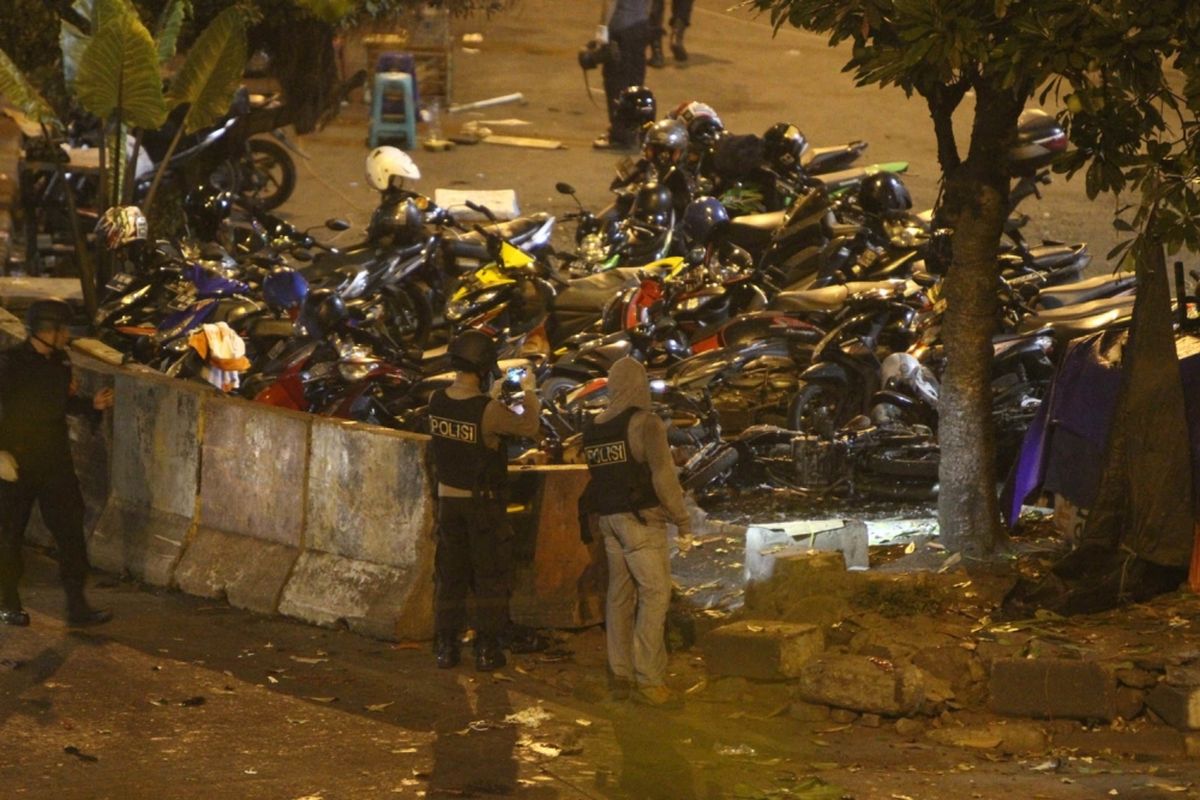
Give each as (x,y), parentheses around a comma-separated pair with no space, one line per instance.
(37,395)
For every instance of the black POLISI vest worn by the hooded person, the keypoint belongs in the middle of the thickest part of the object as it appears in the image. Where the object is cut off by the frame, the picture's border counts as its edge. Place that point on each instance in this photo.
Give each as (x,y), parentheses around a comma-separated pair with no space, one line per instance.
(619,485)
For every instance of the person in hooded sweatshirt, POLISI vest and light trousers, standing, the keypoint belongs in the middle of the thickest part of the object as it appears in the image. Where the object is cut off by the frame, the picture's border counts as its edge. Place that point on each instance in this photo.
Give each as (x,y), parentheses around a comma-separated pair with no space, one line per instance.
(633,494)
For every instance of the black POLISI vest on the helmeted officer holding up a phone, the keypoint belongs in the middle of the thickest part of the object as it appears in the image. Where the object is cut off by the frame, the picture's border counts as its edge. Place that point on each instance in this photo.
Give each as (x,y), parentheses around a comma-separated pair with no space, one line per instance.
(460,456)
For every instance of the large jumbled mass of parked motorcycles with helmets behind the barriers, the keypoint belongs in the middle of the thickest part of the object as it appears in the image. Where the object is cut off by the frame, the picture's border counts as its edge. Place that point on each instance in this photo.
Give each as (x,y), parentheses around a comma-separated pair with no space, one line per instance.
(785,302)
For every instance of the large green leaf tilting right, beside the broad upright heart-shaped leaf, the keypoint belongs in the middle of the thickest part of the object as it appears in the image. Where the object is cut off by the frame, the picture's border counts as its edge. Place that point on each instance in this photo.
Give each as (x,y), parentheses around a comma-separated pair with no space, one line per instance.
(213,71)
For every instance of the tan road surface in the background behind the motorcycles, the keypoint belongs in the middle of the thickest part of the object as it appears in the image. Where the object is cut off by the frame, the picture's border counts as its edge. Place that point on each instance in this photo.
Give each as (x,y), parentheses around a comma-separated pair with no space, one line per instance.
(753,77)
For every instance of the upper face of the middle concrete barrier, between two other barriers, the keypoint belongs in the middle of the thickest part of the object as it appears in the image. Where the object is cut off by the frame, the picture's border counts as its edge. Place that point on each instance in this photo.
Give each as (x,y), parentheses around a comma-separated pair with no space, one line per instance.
(254,471)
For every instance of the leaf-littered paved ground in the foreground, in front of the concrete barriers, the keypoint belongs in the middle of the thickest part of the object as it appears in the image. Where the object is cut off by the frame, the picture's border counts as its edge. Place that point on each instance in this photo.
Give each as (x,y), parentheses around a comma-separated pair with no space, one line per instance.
(189,700)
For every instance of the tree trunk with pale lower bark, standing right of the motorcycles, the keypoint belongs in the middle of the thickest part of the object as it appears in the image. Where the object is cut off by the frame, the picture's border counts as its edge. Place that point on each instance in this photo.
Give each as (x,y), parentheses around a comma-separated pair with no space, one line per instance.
(977,206)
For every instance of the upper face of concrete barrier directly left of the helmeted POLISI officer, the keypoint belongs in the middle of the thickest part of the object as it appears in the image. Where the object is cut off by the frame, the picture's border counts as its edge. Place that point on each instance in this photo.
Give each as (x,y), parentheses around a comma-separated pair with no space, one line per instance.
(369,495)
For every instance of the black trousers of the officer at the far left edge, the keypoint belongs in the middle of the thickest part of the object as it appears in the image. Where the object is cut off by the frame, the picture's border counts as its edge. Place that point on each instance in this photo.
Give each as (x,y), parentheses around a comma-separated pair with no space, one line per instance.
(57,495)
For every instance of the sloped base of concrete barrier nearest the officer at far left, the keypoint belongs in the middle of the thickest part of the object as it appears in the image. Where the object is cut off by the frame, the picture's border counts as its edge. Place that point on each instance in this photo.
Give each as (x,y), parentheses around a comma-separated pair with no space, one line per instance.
(139,542)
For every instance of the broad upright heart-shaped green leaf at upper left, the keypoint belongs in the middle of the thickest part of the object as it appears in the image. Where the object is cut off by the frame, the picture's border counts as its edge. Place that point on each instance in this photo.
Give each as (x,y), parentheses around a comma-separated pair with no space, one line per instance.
(119,74)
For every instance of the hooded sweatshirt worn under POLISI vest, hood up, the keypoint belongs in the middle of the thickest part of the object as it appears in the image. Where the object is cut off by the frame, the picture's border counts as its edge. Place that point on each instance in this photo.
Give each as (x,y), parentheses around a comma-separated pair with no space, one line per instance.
(629,388)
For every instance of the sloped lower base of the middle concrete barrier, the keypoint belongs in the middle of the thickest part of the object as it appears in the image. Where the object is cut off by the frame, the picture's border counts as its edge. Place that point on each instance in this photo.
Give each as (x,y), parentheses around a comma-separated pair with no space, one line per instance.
(248,573)
